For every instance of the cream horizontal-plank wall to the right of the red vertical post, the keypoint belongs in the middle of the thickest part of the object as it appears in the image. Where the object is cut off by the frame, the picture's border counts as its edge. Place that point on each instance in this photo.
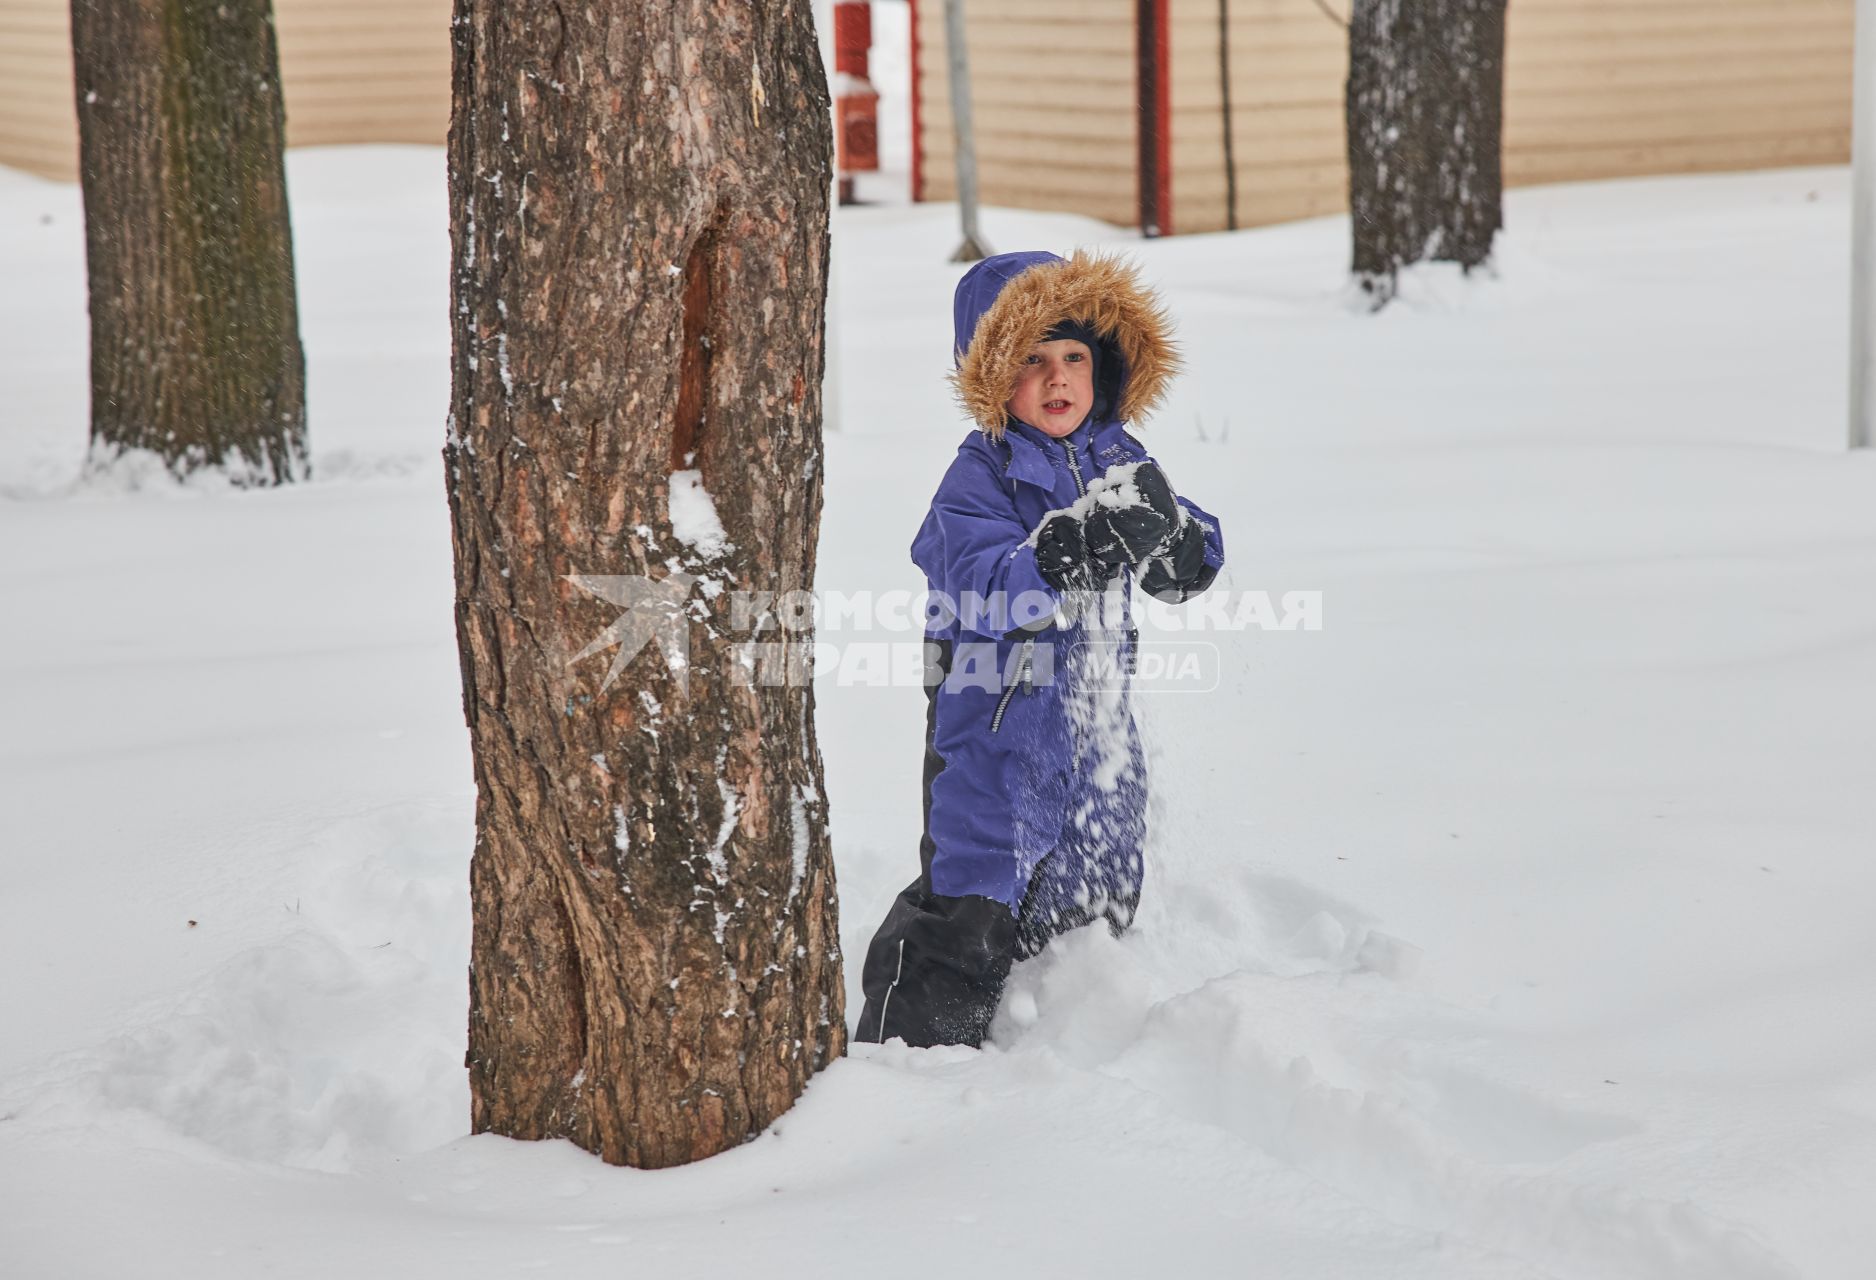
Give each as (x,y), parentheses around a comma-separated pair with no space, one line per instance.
(1594,89)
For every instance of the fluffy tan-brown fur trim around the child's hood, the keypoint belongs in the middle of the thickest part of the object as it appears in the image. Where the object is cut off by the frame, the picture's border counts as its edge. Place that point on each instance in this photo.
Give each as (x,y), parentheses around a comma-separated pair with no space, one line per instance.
(1097,290)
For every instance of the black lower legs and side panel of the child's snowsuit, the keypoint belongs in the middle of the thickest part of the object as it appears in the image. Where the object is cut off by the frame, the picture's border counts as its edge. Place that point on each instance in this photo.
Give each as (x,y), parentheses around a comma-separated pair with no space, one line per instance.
(935,971)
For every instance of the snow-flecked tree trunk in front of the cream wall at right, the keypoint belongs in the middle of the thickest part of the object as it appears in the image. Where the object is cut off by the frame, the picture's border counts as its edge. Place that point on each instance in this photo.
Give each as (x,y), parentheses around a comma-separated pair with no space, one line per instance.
(1427,108)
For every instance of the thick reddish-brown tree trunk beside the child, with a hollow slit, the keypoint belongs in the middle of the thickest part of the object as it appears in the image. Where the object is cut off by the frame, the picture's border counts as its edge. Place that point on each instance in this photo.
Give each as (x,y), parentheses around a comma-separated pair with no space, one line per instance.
(639,211)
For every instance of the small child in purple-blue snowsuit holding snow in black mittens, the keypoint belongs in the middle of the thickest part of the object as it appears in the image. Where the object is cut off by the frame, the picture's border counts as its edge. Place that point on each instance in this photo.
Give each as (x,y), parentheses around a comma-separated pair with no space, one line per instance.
(1035,780)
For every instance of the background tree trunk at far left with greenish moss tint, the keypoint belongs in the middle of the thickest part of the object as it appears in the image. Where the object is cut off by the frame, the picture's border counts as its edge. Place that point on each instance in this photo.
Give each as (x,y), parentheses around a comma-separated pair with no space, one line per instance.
(196,337)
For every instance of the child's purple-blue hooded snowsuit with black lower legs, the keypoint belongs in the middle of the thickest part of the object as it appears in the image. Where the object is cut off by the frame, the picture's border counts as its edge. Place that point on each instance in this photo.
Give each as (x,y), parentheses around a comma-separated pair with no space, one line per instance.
(1035,780)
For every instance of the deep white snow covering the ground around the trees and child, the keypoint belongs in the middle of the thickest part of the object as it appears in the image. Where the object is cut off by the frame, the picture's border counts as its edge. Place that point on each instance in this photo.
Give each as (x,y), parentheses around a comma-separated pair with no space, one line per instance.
(1513,924)
